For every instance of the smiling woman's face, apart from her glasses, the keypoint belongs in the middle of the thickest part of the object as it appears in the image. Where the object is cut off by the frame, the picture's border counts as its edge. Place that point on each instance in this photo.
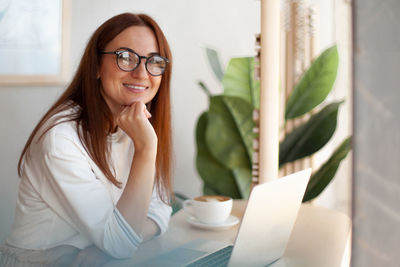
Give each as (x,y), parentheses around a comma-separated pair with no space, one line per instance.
(120,88)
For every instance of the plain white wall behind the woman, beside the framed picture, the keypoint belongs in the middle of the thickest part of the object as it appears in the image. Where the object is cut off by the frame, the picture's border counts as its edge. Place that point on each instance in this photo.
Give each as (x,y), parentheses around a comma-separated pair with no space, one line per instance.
(227,25)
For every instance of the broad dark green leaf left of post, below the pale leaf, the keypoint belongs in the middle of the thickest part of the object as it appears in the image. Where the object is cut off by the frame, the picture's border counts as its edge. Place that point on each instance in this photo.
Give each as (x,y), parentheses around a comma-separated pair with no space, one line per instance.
(229,131)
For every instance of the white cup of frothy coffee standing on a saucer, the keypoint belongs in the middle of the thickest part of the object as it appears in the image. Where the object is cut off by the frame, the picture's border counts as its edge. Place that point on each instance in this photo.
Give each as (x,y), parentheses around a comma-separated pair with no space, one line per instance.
(209,209)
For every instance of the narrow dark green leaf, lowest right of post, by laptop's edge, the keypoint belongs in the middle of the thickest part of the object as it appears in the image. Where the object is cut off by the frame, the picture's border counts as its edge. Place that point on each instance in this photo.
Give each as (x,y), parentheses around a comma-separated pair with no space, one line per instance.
(320,180)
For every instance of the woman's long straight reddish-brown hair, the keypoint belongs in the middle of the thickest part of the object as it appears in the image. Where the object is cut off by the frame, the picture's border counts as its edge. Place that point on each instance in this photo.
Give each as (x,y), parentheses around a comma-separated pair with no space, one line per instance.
(95,118)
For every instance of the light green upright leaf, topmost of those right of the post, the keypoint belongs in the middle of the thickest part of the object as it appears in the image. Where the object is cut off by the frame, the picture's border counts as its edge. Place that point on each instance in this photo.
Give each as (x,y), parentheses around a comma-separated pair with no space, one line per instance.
(315,84)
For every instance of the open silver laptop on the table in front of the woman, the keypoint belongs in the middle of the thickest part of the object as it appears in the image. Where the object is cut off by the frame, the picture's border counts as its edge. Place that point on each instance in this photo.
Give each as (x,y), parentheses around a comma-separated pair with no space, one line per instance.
(263,234)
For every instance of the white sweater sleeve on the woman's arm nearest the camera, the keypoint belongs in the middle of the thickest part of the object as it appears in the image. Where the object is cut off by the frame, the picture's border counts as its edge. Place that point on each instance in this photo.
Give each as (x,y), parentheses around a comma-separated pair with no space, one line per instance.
(73,191)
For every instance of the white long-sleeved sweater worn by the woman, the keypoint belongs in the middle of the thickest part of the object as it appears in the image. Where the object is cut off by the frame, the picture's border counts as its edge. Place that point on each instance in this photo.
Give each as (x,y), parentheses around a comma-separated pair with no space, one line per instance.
(64,198)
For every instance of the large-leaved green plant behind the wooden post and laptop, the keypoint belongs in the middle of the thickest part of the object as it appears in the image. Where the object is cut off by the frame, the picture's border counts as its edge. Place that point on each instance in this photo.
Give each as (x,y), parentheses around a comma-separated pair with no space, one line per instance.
(224,132)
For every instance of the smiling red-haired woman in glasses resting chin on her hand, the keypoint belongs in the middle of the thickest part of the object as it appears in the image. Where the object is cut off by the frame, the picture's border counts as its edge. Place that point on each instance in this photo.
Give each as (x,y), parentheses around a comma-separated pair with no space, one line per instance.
(95,172)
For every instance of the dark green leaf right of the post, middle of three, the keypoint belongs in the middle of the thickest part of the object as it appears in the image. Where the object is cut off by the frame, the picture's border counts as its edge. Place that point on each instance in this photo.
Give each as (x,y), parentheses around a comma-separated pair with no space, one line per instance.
(309,137)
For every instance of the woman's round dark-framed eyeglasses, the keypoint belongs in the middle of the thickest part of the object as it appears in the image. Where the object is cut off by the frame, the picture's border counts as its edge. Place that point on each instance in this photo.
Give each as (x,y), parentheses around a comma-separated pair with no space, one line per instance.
(128,60)
